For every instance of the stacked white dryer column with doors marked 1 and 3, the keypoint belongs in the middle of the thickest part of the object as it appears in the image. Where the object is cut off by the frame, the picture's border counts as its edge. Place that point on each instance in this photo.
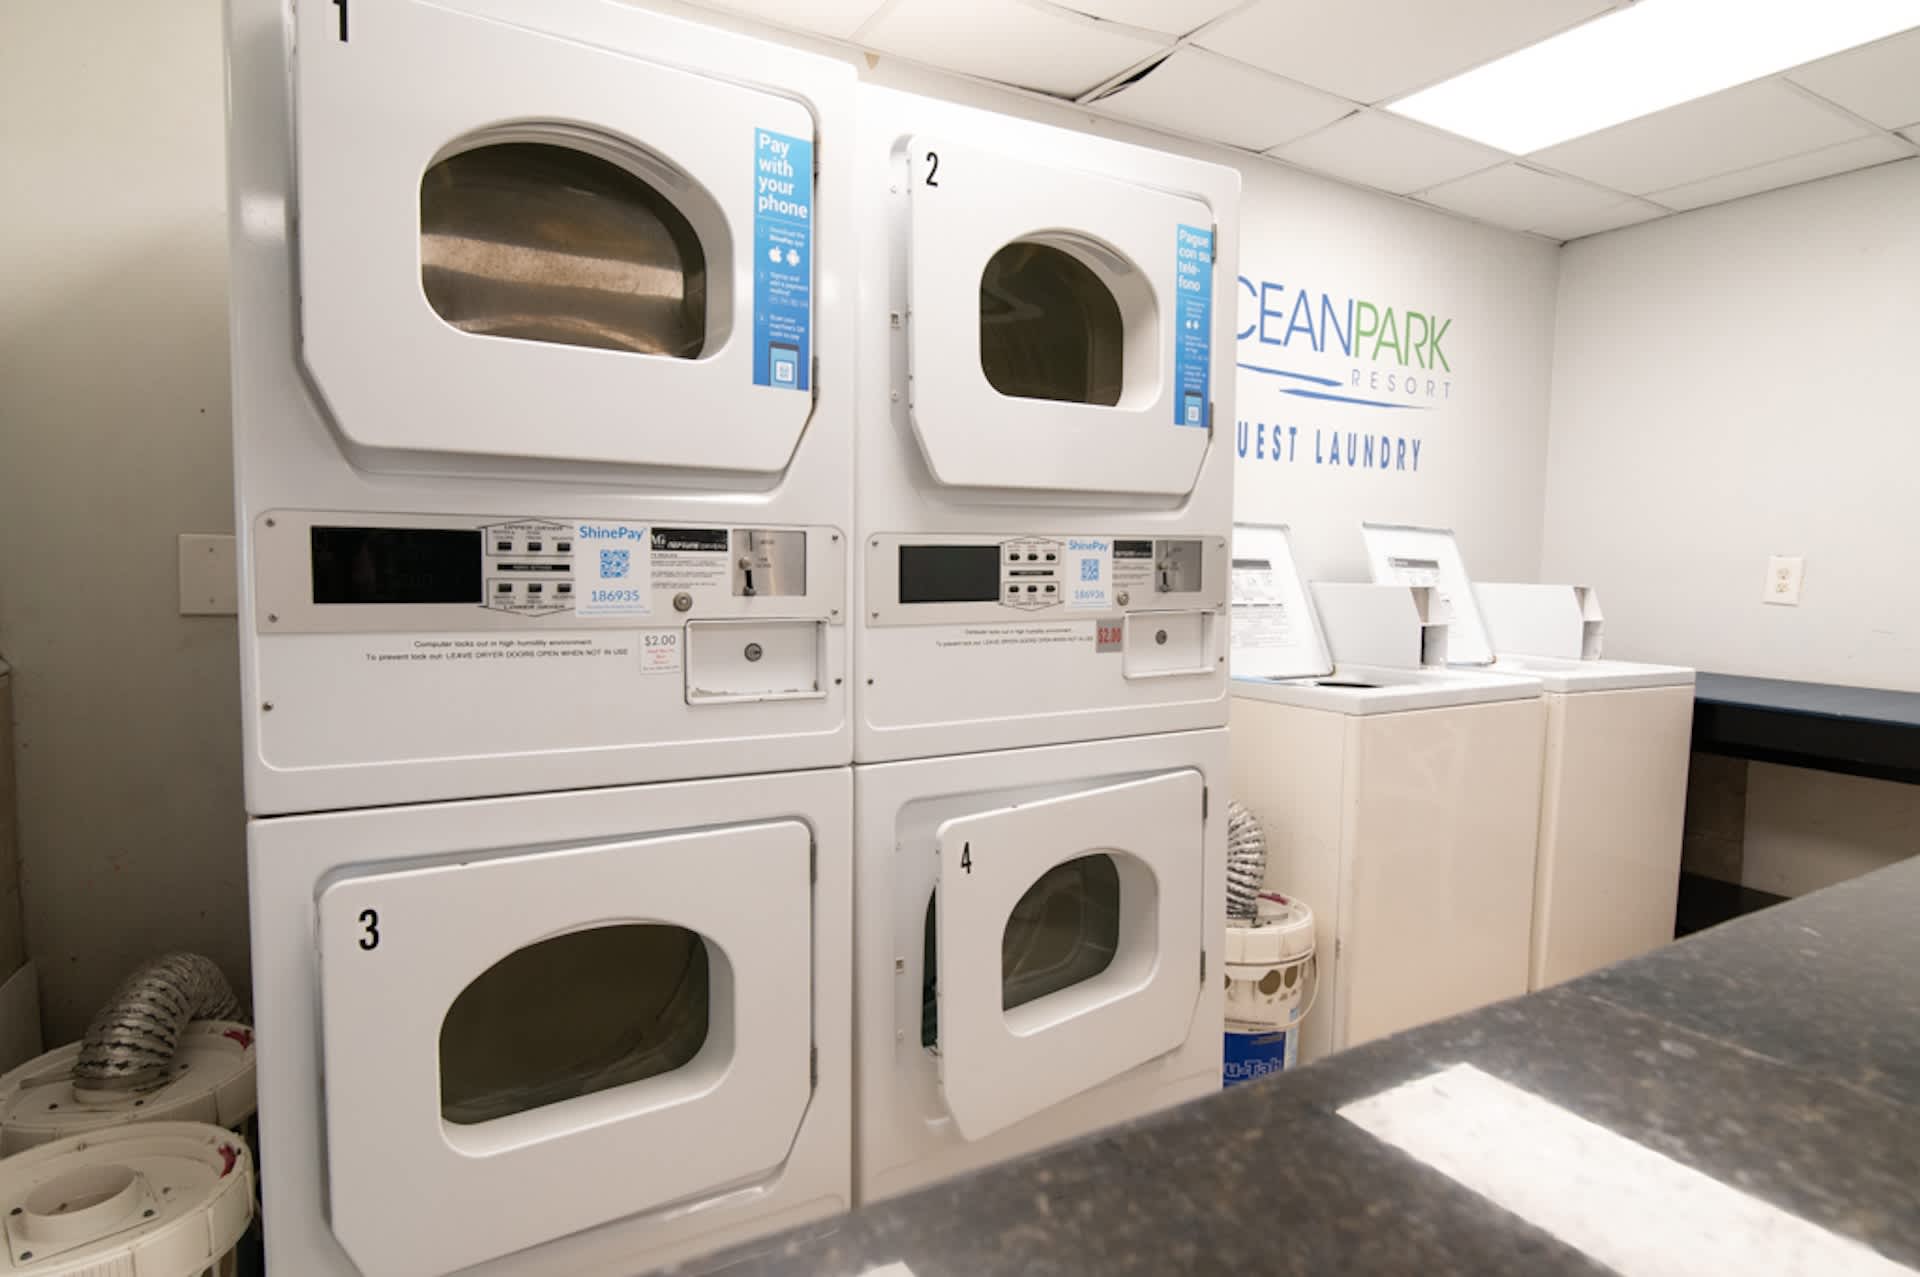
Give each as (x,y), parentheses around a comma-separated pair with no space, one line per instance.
(542,414)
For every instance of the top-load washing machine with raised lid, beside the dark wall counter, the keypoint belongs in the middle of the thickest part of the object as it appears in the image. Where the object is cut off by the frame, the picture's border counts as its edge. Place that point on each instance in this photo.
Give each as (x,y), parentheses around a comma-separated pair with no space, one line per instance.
(1618,748)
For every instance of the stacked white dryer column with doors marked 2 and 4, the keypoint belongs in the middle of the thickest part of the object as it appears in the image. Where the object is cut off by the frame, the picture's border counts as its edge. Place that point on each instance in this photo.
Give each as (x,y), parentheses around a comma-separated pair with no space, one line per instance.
(1042,577)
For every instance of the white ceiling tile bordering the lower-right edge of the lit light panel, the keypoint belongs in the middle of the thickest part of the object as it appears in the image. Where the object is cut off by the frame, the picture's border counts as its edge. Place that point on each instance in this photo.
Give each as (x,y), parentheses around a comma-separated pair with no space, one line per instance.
(1727,132)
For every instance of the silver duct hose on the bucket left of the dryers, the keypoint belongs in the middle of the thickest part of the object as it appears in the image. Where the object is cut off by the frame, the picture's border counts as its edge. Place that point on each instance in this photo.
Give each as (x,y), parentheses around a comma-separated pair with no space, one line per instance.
(132,1040)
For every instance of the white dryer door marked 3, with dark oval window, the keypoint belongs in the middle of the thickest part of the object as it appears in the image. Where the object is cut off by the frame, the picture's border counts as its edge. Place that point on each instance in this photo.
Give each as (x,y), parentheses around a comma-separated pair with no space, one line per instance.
(539,1044)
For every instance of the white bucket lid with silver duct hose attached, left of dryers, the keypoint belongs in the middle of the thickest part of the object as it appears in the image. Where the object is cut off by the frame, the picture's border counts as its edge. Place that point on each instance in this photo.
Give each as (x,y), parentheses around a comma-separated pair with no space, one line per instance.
(210,1080)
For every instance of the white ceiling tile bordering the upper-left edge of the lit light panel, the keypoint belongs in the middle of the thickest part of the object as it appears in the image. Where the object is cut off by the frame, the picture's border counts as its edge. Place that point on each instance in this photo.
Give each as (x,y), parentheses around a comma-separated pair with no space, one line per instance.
(1372,51)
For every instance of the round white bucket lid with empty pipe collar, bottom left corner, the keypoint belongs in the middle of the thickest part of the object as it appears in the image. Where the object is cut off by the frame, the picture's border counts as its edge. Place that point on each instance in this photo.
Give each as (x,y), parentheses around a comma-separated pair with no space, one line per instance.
(162,1199)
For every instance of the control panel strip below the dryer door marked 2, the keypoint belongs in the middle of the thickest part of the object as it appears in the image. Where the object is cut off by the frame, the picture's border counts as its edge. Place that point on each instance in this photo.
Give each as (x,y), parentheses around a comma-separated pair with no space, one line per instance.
(982,579)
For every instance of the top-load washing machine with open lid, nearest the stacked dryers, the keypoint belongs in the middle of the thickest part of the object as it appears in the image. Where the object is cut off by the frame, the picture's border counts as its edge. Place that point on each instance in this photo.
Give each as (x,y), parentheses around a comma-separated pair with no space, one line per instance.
(1399,798)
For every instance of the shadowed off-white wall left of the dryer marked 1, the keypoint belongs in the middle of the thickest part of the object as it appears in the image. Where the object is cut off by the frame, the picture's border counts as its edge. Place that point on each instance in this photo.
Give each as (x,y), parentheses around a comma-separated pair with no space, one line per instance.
(114,437)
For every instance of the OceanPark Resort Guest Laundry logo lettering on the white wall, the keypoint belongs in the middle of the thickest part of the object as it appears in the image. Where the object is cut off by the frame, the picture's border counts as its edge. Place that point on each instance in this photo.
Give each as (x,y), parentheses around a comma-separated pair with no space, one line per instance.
(1356,358)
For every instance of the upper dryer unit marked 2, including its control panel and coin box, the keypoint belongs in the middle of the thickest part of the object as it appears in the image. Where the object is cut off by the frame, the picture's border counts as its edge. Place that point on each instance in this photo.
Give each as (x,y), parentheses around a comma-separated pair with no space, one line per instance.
(1045,487)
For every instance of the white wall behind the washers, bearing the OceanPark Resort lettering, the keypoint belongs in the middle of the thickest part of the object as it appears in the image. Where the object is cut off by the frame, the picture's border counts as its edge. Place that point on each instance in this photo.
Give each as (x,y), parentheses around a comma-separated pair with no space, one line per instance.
(1481,435)
